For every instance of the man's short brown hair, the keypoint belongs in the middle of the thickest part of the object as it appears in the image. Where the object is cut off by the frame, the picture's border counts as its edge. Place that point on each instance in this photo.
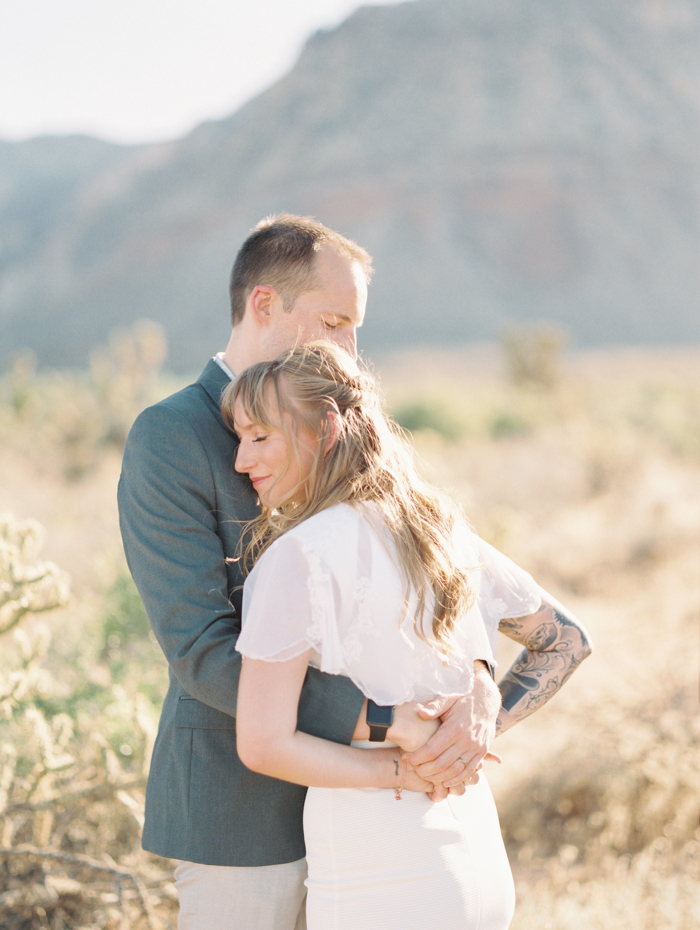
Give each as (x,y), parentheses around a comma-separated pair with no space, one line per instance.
(281,253)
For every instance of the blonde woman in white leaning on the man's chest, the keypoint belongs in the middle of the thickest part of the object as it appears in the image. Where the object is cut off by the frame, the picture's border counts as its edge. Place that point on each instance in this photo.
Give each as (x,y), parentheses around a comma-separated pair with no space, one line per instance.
(366,571)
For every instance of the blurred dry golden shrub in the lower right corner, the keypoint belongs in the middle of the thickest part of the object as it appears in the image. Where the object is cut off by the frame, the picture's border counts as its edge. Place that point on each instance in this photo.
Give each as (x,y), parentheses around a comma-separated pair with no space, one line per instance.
(611,838)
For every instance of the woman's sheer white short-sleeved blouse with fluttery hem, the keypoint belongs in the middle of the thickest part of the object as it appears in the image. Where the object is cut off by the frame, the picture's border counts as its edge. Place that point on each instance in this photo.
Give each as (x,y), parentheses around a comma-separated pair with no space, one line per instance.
(333,584)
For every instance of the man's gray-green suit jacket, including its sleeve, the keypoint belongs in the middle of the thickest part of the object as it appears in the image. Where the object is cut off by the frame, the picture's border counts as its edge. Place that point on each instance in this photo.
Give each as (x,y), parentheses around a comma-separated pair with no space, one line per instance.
(181,505)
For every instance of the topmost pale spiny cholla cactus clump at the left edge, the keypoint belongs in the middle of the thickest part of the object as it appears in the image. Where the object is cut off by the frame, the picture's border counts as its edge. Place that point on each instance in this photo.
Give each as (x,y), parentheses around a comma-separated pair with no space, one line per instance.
(27,584)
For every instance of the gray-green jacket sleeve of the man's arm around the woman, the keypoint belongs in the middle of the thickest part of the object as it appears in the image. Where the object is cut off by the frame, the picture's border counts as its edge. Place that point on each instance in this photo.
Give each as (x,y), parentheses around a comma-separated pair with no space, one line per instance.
(170,511)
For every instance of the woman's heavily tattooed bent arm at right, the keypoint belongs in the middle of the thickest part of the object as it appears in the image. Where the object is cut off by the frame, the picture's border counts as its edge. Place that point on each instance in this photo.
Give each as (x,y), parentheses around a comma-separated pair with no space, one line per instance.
(555,646)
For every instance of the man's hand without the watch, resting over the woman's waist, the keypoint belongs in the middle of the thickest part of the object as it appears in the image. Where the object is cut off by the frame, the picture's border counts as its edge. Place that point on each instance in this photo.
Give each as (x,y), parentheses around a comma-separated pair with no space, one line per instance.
(468,725)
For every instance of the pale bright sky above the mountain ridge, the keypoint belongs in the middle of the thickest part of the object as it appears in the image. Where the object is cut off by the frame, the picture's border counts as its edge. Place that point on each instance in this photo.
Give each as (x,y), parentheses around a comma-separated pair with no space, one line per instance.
(146,70)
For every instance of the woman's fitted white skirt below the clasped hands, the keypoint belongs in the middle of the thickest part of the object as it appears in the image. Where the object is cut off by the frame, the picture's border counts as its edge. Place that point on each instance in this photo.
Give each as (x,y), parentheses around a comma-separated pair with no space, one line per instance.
(376,863)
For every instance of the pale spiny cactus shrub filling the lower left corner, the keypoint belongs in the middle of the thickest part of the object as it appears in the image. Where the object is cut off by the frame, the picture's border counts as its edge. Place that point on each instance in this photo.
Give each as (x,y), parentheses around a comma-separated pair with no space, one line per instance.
(73,763)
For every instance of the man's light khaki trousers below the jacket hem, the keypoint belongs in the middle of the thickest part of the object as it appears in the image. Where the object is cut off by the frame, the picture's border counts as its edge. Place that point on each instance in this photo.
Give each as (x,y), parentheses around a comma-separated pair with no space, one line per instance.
(215,897)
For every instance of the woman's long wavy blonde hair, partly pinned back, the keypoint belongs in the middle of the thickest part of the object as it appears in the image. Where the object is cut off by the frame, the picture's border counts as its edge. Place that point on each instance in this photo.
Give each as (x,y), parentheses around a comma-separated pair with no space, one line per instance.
(362,455)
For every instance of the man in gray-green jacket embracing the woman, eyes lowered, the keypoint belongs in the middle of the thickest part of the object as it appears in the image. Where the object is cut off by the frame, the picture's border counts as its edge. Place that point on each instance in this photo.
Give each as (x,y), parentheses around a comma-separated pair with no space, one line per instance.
(239,835)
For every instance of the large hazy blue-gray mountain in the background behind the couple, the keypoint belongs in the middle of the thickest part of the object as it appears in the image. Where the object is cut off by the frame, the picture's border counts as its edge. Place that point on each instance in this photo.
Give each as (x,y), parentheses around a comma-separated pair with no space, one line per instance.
(504,162)
